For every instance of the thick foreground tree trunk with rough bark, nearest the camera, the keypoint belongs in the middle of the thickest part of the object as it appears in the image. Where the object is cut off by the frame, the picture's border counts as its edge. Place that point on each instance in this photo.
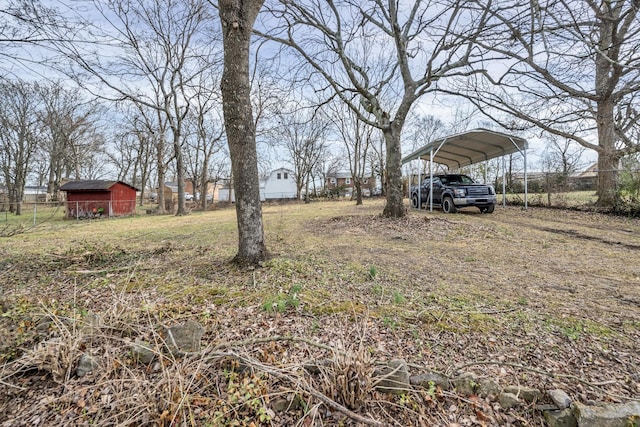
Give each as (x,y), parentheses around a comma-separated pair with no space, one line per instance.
(237,17)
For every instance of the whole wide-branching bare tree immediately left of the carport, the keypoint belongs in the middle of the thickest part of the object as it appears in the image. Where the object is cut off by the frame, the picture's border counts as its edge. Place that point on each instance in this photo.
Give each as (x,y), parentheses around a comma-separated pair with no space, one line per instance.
(379,58)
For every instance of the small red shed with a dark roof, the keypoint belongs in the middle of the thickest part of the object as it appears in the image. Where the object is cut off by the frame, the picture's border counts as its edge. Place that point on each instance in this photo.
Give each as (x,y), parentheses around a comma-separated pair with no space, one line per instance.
(96,198)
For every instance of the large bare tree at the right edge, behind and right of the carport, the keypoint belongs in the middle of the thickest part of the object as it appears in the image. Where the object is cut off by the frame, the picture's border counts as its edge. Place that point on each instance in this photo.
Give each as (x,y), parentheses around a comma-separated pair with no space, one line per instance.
(570,68)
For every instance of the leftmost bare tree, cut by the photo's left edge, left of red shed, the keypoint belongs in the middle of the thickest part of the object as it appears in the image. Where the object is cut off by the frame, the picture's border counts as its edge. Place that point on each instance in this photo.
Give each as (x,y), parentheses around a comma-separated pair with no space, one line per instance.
(19,132)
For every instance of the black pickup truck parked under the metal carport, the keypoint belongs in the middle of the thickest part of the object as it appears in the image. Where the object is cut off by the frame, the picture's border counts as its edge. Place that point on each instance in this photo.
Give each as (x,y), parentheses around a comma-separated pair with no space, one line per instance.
(454,191)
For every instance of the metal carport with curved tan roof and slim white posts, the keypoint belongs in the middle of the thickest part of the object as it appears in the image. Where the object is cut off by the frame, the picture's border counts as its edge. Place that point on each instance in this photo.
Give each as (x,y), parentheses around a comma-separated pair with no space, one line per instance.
(467,148)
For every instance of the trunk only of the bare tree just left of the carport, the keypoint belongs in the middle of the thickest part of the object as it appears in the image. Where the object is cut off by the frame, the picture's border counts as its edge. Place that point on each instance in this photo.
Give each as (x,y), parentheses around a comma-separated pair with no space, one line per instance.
(394,207)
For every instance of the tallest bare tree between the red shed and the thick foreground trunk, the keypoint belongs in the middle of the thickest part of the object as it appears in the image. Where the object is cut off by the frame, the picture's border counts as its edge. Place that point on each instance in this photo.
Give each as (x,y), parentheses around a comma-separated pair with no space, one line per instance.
(162,47)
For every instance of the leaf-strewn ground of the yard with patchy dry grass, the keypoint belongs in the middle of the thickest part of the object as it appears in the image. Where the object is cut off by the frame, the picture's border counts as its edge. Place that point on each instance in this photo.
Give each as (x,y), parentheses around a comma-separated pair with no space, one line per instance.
(545,298)
